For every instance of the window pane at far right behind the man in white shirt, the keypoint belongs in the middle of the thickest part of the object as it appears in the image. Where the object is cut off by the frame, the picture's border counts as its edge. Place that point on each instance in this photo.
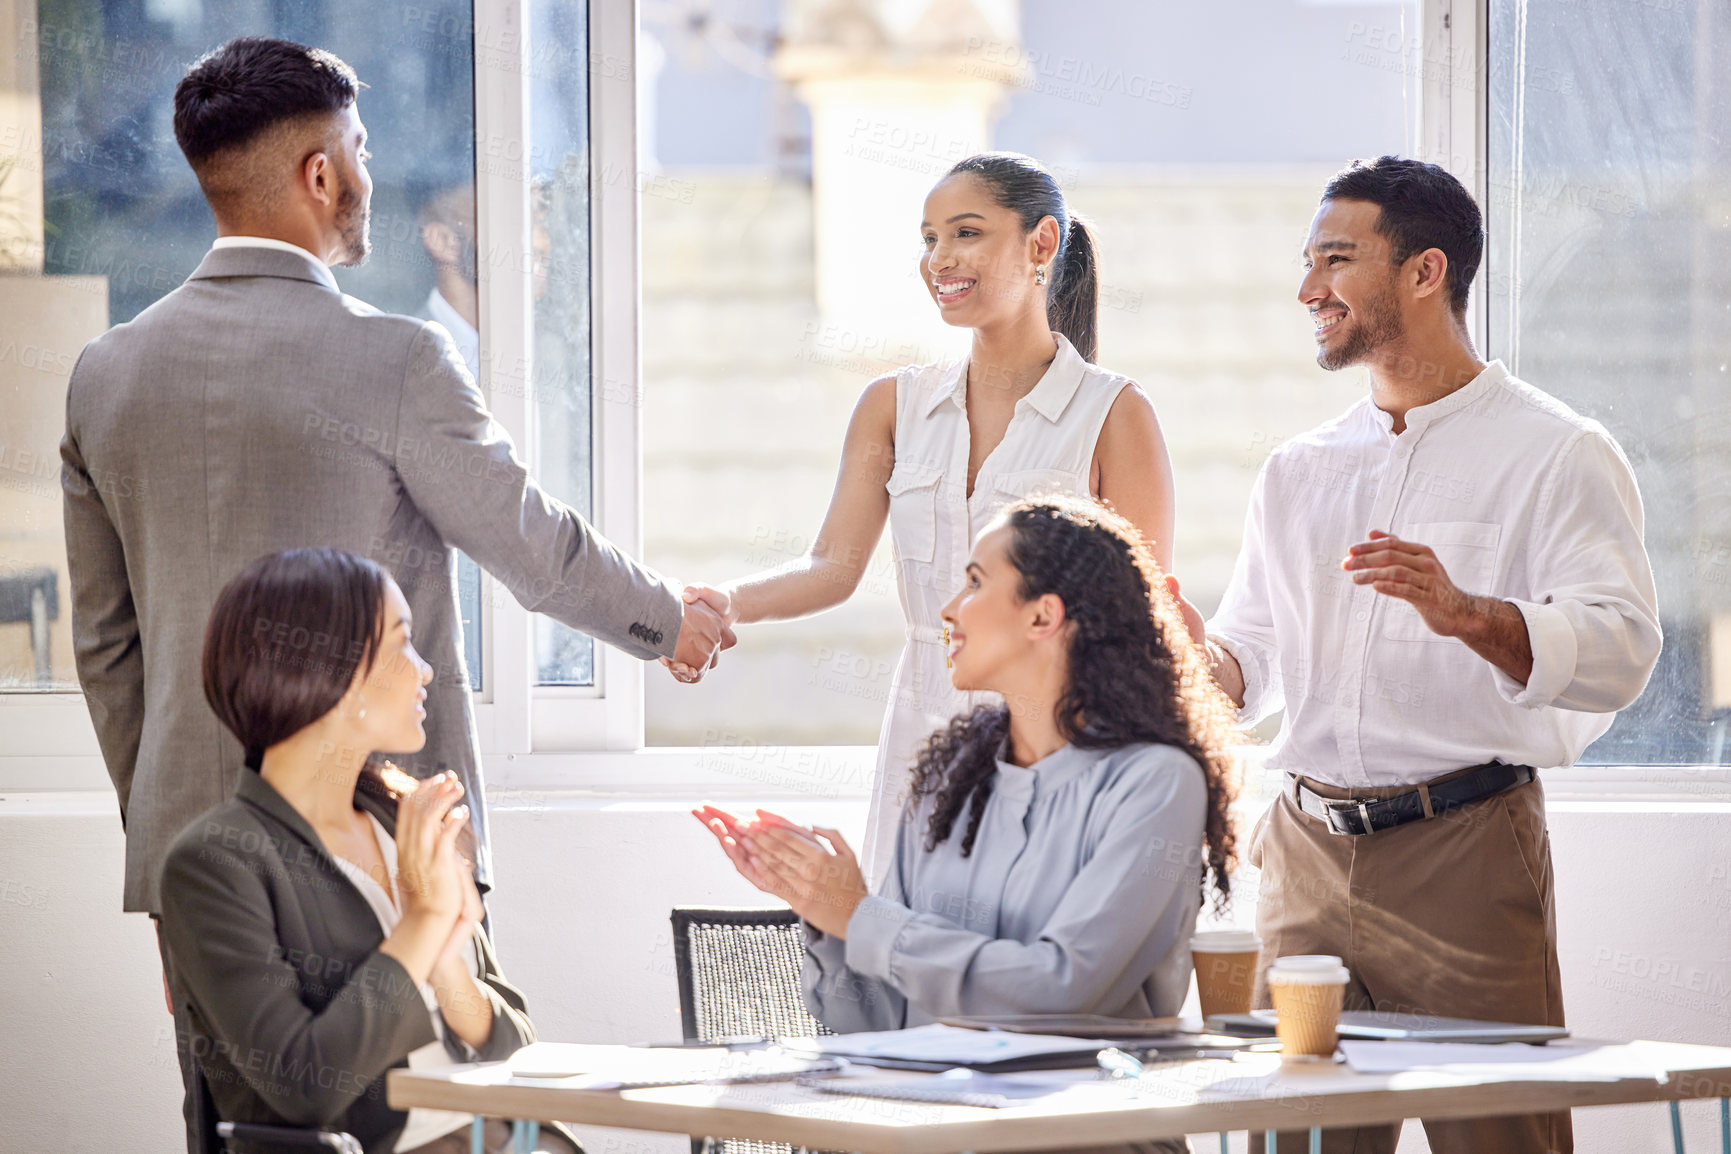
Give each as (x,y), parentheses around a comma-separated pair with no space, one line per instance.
(1607,285)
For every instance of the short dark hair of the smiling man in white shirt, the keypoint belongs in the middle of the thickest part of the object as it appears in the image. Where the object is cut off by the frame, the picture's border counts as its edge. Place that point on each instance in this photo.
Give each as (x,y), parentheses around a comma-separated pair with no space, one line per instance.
(1424,207)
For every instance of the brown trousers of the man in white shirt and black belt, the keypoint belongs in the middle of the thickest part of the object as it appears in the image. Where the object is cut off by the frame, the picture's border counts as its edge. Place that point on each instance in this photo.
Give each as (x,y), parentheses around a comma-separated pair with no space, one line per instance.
(1453,916)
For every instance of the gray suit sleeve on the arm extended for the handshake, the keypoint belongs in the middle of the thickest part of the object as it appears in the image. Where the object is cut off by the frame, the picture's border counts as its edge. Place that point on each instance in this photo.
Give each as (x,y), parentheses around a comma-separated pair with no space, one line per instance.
(461,470)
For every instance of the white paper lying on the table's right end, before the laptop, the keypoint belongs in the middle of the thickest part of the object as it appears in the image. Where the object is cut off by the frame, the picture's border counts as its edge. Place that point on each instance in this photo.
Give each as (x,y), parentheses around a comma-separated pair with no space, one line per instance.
(1503,1063)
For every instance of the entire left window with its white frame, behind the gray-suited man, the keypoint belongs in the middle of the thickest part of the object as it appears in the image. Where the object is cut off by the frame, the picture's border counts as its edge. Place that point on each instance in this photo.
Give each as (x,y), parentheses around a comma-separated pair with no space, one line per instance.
(100,217)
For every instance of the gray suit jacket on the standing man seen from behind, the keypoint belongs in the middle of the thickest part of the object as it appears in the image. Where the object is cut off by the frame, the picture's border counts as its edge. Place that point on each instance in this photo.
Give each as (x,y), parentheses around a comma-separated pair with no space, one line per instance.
(259,409)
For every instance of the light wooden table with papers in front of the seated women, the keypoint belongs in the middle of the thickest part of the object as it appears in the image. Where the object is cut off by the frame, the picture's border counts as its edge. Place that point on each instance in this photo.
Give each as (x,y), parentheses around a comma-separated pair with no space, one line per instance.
(1256,1093)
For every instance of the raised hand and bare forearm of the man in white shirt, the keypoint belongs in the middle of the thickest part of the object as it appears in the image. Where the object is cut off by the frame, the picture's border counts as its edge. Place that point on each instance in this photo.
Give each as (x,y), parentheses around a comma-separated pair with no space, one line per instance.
(1493,629)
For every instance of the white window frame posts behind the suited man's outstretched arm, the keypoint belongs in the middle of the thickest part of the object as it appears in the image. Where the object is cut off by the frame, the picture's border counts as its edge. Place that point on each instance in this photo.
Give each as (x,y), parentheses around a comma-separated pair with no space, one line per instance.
(515,715)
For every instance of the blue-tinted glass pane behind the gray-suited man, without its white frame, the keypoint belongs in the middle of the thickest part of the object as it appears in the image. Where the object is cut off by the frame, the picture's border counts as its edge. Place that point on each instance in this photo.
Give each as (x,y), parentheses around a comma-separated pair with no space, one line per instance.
(101,217)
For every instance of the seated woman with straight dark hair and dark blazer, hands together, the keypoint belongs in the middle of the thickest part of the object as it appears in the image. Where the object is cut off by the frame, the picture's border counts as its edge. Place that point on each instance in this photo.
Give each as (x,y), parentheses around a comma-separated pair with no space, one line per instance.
(323,925)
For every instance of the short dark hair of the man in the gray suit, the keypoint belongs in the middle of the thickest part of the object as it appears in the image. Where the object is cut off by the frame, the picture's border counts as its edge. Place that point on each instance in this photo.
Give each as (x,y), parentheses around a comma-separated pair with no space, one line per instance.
(233,94)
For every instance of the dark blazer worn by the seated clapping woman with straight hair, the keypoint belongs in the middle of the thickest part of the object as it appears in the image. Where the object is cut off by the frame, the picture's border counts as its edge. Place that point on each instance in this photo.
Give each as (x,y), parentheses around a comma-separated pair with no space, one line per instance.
(280,987)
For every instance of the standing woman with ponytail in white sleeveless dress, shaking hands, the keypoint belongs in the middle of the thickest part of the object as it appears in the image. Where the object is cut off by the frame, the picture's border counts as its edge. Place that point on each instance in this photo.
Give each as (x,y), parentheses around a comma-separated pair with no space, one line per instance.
(941,449)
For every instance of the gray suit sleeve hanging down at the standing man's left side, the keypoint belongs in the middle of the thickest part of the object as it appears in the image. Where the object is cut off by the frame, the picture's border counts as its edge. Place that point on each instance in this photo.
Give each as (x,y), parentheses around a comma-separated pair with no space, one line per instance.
(106,646)
